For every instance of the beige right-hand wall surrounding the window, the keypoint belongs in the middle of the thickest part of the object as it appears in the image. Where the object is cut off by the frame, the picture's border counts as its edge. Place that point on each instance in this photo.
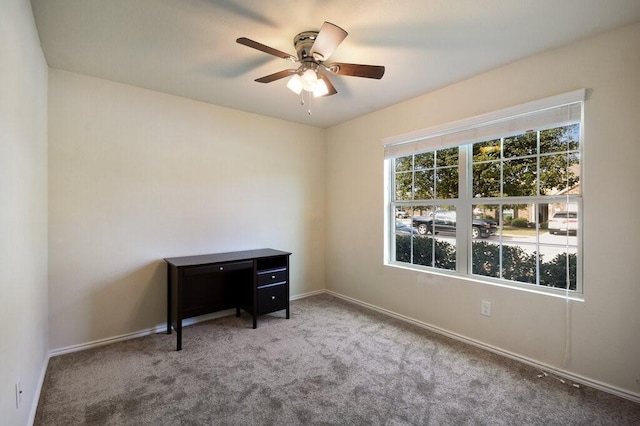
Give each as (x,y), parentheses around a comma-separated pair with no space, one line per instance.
(604,338)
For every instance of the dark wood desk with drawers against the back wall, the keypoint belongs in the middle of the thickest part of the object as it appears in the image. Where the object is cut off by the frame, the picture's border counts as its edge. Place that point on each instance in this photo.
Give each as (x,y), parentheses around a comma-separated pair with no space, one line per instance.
(256,281)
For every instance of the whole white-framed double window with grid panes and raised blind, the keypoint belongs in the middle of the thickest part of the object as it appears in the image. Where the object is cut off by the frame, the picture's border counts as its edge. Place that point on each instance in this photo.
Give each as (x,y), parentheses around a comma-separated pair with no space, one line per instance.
(495,197)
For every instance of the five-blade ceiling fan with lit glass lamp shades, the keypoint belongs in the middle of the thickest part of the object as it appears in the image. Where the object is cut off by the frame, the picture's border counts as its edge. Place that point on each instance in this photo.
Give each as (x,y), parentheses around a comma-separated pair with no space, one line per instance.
(313,49)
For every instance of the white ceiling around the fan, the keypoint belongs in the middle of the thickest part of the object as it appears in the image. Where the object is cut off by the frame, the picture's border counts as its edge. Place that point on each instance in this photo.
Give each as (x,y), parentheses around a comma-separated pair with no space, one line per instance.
(187,47)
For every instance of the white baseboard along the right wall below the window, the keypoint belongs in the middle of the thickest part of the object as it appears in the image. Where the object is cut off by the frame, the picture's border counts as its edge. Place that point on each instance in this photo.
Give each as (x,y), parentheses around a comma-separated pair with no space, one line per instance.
(539,365)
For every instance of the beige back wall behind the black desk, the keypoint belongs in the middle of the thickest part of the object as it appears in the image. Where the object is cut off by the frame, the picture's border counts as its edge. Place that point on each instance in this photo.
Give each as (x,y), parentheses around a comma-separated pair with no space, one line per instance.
(136,176)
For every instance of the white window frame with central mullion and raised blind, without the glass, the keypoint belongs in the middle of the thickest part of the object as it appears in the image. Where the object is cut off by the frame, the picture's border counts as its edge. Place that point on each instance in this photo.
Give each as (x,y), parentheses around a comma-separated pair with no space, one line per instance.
(554,111)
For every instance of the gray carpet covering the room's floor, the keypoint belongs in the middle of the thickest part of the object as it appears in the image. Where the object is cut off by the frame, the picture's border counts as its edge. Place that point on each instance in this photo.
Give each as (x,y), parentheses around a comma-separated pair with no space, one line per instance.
(332,363)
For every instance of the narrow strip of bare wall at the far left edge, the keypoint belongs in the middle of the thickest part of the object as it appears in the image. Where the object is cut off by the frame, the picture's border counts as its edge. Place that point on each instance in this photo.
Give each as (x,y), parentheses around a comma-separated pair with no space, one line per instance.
(23,210)
